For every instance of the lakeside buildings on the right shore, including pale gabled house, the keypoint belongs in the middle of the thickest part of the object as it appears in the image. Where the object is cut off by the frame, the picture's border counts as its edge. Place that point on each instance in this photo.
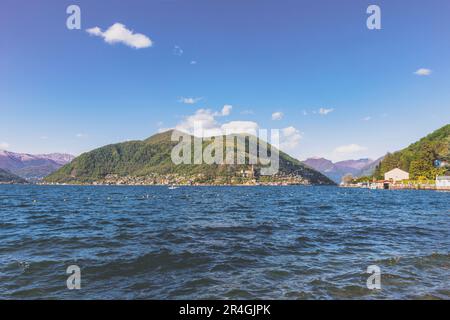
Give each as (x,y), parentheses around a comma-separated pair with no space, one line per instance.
(397,179)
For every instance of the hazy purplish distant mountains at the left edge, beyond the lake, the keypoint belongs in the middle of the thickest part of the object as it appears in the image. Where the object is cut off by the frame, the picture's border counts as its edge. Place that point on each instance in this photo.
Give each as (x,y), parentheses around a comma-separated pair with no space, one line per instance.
(32,167)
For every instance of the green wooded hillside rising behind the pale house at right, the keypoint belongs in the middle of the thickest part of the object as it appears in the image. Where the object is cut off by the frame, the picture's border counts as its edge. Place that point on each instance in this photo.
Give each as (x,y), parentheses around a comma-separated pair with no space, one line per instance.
(418,159)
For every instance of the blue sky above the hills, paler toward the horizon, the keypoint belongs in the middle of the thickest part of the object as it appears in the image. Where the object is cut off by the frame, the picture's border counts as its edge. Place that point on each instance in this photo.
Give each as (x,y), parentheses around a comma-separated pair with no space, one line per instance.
(338,89)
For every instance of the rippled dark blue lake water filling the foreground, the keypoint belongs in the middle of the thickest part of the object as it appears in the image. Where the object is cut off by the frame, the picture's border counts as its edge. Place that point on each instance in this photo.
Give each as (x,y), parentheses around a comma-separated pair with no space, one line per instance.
(223,242)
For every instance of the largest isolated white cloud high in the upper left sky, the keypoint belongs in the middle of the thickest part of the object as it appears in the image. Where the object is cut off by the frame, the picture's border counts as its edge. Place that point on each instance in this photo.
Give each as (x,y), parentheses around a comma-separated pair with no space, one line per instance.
(118,33)
